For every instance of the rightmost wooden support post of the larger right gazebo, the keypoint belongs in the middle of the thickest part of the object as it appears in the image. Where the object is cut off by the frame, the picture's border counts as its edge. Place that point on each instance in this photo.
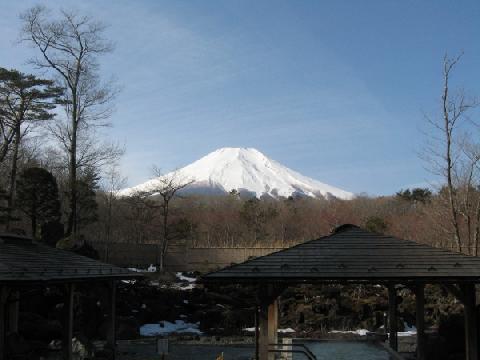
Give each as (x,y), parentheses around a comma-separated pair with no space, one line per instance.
(471,329)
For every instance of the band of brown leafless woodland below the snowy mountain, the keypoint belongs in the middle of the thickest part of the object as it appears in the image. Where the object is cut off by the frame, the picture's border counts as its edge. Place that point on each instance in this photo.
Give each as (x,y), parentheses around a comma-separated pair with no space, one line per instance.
(231,220)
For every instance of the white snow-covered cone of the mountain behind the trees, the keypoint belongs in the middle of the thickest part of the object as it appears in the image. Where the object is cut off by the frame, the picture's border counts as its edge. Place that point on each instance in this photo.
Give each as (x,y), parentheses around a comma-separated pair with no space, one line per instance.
(246,170)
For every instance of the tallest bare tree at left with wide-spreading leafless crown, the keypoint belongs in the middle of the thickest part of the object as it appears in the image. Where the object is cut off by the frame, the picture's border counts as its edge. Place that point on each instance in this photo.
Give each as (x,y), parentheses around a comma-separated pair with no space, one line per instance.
(69,47)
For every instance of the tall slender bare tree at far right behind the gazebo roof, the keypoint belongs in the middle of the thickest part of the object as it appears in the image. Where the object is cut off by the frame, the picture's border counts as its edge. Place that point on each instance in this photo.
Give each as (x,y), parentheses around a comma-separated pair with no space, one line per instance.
(450,154)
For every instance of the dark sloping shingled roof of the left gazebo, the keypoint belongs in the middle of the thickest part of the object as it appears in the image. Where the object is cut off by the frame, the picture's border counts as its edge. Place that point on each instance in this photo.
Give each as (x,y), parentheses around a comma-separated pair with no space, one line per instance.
(25,261)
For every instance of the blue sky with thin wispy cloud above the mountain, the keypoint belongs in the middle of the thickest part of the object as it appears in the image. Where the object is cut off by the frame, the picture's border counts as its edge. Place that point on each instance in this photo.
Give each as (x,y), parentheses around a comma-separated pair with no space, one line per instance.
(335,90)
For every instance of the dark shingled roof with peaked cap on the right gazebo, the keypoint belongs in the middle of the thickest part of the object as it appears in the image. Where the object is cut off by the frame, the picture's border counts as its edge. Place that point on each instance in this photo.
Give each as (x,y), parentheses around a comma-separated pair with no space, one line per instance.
(352,254)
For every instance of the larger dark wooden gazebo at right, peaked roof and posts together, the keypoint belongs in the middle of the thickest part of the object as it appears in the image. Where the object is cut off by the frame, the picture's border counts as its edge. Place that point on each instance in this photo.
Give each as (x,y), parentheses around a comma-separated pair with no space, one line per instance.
(353,255)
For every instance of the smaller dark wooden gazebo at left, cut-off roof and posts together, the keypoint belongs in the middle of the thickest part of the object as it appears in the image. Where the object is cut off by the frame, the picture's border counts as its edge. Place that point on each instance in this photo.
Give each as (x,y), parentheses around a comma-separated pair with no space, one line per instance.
(25,263)
